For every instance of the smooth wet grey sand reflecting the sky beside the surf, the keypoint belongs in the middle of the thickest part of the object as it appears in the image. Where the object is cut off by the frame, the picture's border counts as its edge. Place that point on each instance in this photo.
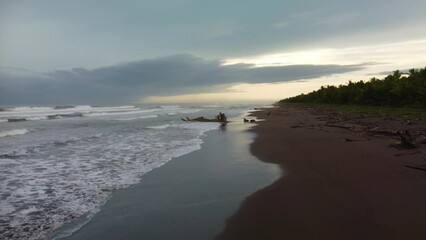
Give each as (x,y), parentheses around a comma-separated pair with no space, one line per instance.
(188,198)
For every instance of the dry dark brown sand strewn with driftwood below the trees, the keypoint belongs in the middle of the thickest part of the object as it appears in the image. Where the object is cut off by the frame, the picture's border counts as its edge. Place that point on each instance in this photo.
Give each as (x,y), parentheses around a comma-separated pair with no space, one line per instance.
(340,179)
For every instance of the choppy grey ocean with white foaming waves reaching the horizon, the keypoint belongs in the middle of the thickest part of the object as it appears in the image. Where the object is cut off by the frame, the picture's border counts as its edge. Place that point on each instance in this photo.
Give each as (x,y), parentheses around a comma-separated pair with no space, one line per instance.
(60,163)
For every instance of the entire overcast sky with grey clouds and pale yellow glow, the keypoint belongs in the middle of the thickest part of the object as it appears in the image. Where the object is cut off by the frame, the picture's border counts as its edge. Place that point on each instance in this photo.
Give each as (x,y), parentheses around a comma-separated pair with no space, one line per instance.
(90,51)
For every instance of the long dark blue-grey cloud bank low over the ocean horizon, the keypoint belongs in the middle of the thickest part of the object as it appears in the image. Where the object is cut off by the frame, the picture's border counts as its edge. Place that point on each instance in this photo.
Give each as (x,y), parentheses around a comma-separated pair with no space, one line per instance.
(129,81)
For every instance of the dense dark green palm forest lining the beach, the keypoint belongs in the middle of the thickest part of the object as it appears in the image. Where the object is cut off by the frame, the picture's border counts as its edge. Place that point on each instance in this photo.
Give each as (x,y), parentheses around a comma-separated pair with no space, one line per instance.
(397,89)
